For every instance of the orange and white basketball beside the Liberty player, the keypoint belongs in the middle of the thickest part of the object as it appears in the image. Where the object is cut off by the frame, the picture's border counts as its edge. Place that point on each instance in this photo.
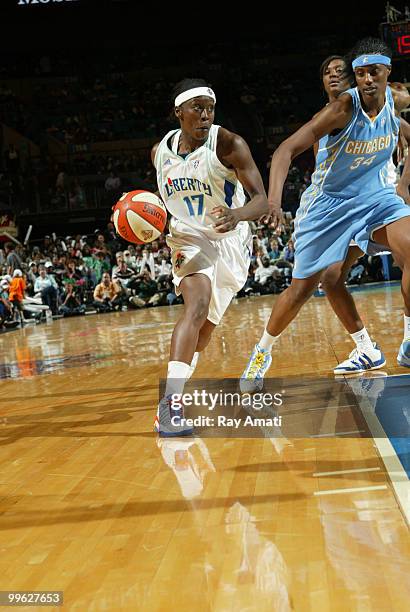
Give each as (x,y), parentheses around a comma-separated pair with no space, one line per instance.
(139,216)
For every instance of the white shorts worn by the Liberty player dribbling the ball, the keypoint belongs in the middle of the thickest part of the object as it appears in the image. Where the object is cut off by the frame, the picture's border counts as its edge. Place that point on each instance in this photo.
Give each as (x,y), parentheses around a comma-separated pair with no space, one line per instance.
(225,262)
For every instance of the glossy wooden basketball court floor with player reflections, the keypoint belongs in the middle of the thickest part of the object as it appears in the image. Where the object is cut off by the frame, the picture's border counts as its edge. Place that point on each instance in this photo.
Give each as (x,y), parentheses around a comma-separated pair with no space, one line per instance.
(95,505)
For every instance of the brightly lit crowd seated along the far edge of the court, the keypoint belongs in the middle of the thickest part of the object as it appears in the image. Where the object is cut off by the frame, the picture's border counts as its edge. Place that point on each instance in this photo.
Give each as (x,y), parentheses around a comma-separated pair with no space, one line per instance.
(99,273)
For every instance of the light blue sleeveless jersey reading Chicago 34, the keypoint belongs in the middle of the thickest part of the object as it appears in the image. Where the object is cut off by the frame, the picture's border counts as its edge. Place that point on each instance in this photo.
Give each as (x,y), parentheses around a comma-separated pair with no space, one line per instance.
(357,158)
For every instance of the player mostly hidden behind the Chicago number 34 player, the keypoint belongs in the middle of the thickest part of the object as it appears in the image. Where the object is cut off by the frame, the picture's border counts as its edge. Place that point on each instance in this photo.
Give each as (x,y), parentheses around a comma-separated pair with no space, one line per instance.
(336,79)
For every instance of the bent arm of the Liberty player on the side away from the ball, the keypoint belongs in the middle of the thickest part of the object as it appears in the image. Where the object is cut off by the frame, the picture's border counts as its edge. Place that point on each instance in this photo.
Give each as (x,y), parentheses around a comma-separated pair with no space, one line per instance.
(234,153)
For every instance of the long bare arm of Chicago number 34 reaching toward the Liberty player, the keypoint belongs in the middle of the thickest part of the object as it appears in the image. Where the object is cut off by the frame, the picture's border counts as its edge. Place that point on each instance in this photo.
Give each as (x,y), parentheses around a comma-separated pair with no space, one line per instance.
(335,115)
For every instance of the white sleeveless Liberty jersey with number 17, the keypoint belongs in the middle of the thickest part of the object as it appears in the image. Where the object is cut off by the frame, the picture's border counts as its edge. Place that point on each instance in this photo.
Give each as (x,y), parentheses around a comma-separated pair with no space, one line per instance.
(192,185)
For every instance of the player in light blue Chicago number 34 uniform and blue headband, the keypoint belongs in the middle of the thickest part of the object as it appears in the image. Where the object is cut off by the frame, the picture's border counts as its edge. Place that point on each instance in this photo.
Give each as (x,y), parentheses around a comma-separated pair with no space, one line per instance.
(349,199)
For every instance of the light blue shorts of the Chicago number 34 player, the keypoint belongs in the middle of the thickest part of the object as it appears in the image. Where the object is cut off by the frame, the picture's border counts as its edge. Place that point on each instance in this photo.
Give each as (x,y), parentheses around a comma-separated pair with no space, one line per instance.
(324,226)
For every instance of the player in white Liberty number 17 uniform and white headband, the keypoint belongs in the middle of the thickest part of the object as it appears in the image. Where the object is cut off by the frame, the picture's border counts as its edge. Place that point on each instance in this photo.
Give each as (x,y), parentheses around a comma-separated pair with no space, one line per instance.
(202,171)
